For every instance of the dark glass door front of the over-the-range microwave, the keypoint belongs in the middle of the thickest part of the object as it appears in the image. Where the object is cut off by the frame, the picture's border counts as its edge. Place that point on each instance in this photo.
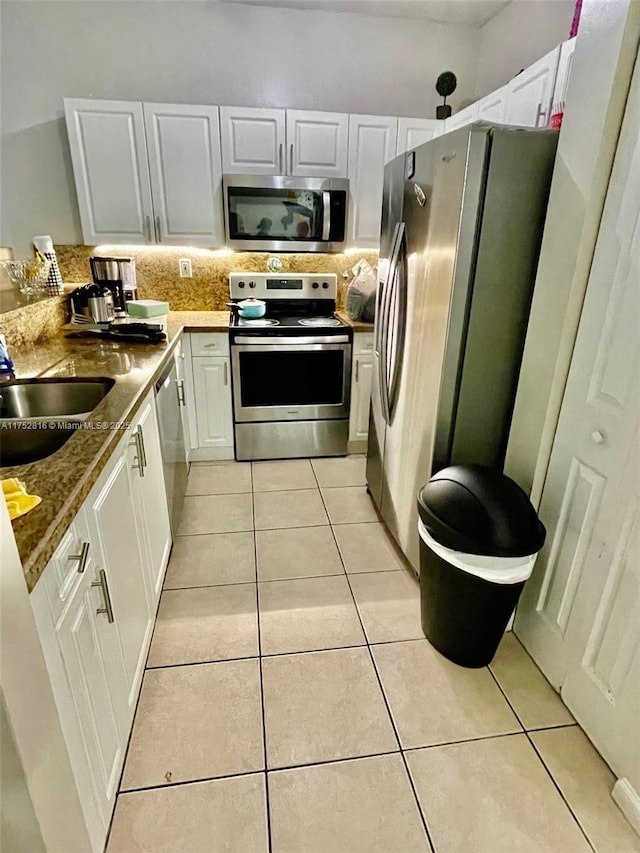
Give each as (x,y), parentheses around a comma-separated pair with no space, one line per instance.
(311,216)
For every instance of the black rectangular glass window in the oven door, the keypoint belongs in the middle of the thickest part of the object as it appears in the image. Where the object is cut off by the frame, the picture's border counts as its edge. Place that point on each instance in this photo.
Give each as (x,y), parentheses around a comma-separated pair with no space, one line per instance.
(292,378)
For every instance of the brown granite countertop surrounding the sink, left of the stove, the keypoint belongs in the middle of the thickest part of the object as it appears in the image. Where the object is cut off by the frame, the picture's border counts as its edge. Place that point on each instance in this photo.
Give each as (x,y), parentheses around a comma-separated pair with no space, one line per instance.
(64,479)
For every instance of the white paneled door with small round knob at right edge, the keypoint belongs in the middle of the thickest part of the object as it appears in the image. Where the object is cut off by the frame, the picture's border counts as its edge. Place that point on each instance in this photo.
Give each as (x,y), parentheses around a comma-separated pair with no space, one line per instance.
(580,613)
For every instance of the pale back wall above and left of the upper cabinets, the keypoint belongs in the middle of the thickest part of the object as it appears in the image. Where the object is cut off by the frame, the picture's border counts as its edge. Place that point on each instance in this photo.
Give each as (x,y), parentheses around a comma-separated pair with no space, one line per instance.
(195,52)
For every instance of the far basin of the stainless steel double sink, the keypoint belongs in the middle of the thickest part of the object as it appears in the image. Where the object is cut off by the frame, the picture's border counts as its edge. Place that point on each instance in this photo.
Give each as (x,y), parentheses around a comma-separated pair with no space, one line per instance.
(46,398)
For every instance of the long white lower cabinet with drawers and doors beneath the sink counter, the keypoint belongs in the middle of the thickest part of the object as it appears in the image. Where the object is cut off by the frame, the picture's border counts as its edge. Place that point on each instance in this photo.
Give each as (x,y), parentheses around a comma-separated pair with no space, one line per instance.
(95,606)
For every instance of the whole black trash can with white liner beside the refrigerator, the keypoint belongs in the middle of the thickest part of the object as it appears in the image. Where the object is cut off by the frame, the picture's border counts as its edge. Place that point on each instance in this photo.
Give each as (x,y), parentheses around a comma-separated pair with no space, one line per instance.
(479,536)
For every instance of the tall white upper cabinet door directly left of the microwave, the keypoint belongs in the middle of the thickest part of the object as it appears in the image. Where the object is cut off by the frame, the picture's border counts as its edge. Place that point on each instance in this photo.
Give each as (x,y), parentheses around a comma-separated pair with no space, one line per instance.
(183,145)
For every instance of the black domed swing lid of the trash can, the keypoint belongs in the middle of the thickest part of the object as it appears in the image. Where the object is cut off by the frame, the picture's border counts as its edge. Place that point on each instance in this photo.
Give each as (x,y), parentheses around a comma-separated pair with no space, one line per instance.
(479,510)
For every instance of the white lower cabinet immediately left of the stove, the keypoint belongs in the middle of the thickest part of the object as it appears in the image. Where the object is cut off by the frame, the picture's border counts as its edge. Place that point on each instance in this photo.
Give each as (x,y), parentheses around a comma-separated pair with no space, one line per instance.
(208,392)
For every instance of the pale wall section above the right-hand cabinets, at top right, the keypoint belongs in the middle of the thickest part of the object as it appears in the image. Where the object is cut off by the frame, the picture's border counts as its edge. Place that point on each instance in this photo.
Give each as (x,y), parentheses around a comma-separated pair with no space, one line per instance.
(515,38)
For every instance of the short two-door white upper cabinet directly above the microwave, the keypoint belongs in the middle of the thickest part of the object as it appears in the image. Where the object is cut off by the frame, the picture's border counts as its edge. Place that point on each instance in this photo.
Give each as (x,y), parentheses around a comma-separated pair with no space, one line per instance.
(284,142)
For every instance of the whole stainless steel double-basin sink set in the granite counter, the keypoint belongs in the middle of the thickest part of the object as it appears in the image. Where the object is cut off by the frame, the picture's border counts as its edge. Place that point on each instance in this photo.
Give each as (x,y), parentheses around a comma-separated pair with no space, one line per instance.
(37,416)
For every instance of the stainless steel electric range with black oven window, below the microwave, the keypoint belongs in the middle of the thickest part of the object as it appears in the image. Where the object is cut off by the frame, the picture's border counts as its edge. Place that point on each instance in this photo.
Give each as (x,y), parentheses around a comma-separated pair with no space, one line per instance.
(291,370)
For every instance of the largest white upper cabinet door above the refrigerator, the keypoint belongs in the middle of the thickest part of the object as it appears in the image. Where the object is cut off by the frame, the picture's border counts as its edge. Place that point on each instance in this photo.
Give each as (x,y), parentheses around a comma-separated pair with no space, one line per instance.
(529,94)
